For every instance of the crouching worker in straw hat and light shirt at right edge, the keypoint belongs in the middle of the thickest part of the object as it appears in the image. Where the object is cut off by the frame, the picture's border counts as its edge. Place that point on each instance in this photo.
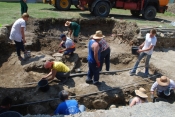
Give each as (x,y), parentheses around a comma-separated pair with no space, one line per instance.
(164,87)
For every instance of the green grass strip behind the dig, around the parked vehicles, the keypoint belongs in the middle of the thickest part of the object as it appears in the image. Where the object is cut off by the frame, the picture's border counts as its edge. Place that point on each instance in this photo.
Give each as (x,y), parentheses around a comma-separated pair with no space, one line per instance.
(10,11)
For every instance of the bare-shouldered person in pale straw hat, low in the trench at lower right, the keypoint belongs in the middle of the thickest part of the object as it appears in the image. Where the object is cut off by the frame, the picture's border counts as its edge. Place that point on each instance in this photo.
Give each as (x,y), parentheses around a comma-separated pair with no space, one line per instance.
(141,97)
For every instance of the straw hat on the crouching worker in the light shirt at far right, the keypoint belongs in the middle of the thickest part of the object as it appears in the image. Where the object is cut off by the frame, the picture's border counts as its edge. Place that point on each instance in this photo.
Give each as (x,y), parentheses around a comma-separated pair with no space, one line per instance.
(163,81)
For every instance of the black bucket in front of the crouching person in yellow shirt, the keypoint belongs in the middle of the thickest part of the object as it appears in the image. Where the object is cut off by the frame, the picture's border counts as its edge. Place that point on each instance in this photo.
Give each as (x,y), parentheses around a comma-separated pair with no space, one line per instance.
(43,85)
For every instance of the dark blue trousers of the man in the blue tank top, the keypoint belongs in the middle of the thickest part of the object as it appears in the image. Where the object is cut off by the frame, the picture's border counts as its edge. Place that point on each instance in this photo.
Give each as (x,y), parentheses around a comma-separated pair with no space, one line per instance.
(93,71)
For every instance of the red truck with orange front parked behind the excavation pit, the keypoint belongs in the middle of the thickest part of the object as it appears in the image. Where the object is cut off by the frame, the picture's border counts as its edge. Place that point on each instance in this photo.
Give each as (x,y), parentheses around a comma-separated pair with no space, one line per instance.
(148,8)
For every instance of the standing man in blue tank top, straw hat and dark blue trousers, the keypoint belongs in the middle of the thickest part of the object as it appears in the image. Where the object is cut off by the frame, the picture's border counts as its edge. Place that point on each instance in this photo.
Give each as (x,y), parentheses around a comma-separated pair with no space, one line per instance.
(94,58)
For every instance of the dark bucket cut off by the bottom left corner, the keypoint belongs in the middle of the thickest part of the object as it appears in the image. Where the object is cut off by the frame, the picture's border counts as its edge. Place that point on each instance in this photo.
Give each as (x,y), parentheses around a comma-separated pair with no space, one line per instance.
(10,114)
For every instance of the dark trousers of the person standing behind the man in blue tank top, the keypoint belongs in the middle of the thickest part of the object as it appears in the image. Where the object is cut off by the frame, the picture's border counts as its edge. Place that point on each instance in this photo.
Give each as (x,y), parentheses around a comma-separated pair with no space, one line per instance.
(105,55)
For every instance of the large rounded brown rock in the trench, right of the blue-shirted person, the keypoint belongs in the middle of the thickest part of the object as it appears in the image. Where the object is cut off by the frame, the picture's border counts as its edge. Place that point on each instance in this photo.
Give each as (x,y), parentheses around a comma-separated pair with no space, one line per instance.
(100,104)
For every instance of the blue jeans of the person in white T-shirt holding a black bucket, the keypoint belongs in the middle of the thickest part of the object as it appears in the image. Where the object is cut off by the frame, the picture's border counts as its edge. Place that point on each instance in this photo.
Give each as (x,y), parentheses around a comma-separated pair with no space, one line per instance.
(139,59)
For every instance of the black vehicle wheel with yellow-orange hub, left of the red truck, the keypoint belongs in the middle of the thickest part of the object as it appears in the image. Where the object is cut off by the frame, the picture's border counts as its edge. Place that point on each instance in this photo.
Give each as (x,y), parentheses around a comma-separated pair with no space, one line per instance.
(63,4)
